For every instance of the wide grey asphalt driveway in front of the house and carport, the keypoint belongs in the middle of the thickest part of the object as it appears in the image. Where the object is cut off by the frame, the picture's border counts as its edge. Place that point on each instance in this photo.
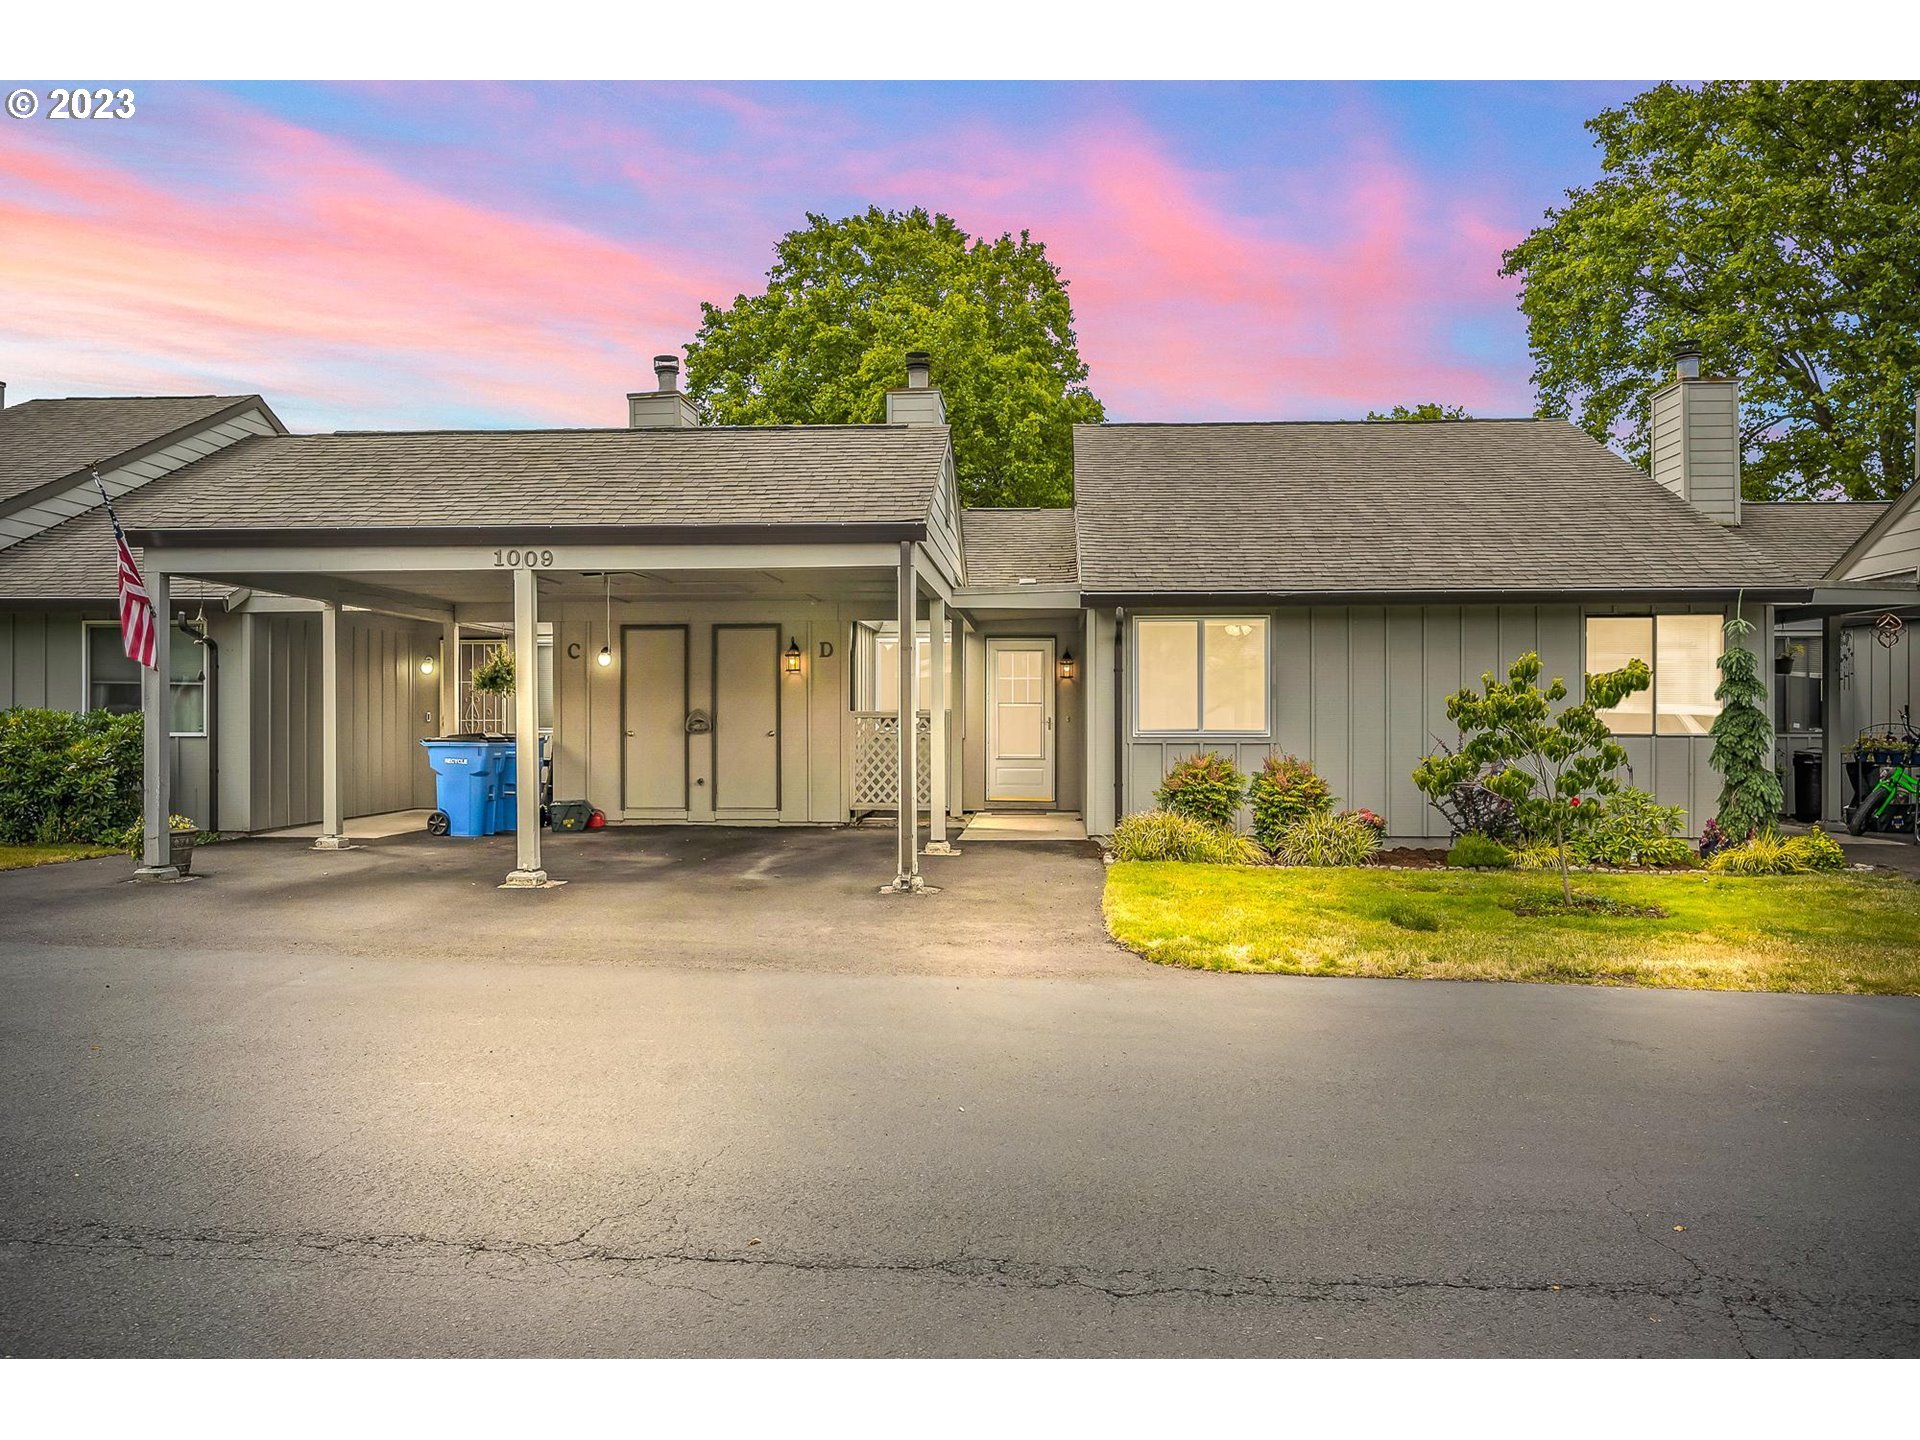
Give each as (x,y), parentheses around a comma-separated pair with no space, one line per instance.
(717,1097)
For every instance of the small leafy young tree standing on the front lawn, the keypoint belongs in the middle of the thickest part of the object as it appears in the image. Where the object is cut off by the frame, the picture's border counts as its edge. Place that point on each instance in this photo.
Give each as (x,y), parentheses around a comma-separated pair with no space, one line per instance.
(1541,759)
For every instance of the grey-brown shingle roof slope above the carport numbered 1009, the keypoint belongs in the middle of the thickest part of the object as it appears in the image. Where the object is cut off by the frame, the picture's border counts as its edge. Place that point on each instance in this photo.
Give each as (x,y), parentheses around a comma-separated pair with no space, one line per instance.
(696,477)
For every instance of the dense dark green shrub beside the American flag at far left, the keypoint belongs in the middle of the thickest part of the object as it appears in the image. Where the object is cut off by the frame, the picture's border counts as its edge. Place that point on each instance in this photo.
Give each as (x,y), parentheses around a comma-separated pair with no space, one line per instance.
(68,779)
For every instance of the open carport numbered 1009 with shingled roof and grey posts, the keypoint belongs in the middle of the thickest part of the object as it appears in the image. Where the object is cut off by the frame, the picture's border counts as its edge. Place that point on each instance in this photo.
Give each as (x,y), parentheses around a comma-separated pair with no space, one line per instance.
(696,581)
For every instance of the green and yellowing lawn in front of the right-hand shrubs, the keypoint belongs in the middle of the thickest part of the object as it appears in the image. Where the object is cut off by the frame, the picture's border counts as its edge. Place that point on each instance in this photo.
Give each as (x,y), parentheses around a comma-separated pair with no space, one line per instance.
(1848,934)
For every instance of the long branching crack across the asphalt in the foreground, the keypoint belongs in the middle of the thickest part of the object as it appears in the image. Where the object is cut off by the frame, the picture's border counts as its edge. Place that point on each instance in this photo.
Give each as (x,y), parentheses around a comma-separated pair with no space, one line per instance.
(1890,1322)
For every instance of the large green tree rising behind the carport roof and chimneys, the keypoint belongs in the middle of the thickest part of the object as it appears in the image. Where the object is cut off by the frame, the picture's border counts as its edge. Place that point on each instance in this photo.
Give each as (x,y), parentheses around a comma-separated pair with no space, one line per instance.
(846,302)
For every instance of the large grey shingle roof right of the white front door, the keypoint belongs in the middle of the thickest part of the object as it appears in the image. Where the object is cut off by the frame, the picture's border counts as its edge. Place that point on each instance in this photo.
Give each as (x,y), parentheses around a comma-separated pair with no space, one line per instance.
(1380,510)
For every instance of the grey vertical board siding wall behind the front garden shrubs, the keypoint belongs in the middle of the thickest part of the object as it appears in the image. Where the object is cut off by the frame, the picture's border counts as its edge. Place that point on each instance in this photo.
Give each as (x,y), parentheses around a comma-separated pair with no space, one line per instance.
(1360,694)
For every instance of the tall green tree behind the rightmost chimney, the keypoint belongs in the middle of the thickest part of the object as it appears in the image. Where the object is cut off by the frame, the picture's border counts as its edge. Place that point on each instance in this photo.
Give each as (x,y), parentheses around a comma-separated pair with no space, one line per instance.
(1779,226)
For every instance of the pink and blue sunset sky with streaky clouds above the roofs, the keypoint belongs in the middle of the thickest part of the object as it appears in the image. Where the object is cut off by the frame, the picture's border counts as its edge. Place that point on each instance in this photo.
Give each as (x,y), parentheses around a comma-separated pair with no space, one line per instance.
(514,254)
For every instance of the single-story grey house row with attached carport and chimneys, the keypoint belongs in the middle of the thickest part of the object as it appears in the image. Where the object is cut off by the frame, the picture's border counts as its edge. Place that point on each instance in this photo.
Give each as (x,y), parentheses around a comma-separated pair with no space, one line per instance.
(717,615)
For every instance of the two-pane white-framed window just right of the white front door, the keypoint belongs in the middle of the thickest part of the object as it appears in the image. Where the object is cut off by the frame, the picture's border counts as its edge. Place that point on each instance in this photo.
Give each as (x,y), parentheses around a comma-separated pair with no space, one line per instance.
(1201,677)
